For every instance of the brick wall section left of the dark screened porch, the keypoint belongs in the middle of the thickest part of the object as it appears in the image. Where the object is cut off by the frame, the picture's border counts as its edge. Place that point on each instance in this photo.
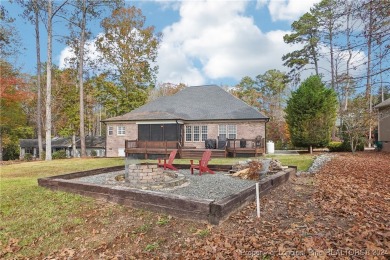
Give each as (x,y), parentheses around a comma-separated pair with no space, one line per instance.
(116,142)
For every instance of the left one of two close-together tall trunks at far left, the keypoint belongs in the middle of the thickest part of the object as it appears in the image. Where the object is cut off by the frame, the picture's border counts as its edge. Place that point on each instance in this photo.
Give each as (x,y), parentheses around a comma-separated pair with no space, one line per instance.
(39,101)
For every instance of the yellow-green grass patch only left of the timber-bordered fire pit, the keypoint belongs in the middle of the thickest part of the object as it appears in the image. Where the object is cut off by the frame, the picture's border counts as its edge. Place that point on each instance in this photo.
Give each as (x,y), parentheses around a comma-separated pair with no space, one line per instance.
(36,219)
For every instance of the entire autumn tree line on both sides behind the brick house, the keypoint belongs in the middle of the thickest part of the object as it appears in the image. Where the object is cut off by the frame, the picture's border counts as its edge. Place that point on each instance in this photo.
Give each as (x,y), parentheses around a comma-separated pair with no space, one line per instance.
(343,43)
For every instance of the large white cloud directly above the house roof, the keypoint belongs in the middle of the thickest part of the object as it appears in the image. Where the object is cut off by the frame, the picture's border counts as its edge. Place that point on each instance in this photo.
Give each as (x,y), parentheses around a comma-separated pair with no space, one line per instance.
(215,40)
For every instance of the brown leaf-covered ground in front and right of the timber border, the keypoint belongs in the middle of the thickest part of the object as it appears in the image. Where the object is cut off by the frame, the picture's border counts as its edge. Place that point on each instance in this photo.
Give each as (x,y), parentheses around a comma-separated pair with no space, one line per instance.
(342,212)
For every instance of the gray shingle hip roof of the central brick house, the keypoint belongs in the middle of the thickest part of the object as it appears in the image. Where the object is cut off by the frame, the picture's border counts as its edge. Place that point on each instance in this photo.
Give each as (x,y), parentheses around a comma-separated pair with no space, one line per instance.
(194,103)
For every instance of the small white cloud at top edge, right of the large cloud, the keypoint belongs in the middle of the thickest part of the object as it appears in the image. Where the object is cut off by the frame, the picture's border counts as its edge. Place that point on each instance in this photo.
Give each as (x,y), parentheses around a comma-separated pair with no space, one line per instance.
(287,10)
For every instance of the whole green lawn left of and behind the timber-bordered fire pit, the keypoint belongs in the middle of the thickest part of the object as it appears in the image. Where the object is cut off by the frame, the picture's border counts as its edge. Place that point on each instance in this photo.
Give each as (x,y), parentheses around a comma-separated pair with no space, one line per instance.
(35,220)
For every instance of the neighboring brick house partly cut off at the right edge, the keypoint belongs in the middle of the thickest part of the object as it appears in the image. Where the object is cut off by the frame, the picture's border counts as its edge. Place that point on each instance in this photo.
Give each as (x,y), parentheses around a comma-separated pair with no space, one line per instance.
(384,124)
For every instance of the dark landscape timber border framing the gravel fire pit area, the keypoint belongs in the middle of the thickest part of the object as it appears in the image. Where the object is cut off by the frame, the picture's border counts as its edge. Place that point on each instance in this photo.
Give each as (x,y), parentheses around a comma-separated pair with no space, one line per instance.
(204,210)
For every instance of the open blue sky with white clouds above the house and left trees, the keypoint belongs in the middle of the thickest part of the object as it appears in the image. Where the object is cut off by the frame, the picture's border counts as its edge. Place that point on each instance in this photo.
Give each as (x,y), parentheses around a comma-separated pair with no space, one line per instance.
(204,42)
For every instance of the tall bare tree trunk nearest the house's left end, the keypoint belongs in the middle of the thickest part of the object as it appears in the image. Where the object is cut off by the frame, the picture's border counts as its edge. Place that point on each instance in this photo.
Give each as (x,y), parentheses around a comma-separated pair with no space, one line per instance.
(81,83)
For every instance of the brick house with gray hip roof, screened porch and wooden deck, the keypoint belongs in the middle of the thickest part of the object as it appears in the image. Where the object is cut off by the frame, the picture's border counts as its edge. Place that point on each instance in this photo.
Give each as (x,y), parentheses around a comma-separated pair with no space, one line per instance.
(193,119)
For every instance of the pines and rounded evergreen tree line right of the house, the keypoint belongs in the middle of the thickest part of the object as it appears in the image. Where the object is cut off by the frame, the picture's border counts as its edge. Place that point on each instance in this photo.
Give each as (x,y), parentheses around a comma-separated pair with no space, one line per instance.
(346,45)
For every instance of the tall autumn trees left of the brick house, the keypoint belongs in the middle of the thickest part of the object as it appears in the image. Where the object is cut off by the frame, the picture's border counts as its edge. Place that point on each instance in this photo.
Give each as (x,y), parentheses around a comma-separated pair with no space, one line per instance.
(67,101)
